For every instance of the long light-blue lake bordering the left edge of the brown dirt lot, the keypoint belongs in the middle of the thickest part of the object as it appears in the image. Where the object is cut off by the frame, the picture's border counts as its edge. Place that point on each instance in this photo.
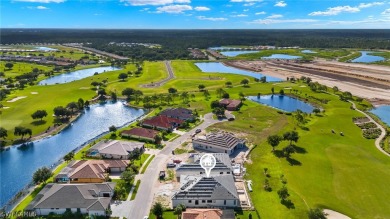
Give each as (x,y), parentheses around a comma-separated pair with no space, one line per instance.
(216,67)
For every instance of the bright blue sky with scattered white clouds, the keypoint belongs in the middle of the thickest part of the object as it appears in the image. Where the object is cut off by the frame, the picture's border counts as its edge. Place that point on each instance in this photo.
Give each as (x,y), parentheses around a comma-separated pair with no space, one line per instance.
(195,14)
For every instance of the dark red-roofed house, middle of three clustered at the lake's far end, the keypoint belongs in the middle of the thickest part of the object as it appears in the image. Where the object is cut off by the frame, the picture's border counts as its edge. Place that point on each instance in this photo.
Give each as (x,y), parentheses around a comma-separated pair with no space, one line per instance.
(162,122)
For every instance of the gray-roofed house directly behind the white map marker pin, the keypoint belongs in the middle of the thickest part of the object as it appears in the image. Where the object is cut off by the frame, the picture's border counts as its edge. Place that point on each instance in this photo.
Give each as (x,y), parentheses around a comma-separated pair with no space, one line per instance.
(222,167)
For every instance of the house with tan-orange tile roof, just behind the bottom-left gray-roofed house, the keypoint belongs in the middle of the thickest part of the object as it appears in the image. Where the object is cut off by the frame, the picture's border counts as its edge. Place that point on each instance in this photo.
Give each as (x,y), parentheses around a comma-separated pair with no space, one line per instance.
(90,171)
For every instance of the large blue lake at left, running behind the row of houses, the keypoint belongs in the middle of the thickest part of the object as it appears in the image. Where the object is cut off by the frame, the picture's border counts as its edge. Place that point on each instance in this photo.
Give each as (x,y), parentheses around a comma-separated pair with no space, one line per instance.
(18,163)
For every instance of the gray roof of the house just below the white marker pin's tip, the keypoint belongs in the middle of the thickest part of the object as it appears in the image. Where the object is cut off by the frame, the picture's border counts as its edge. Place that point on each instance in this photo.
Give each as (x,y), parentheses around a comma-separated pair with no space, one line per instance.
(214,187)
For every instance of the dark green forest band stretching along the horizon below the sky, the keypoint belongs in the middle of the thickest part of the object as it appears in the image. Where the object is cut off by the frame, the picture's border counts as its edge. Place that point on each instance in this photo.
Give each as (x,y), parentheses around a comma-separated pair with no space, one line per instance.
(175,42)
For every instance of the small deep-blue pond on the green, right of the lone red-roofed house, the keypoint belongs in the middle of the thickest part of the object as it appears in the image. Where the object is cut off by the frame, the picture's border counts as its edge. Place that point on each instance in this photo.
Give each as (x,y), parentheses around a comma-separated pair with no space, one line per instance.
(285,103)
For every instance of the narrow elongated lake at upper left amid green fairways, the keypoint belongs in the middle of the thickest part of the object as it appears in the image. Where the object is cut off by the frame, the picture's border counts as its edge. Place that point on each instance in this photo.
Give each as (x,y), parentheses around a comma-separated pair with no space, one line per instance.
(76,75)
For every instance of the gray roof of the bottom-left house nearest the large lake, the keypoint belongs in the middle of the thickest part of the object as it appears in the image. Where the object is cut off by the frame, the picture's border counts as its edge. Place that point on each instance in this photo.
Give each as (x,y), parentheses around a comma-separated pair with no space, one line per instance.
(73,196)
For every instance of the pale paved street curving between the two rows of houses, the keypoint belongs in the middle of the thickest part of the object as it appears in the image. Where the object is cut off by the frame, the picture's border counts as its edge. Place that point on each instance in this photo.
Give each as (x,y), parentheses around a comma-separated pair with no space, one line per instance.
(144,198)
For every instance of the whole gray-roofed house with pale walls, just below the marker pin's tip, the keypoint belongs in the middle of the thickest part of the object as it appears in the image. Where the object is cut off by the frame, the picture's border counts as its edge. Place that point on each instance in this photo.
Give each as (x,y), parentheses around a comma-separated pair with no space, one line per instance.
(206,192)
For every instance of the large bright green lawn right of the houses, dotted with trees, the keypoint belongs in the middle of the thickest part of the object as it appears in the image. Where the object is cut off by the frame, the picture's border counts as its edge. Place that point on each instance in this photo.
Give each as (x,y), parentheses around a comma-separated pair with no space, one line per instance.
(346,174)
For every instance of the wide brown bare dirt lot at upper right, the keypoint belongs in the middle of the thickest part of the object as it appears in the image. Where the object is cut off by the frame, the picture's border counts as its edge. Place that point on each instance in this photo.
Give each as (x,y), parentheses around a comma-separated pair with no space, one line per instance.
(374,87)
